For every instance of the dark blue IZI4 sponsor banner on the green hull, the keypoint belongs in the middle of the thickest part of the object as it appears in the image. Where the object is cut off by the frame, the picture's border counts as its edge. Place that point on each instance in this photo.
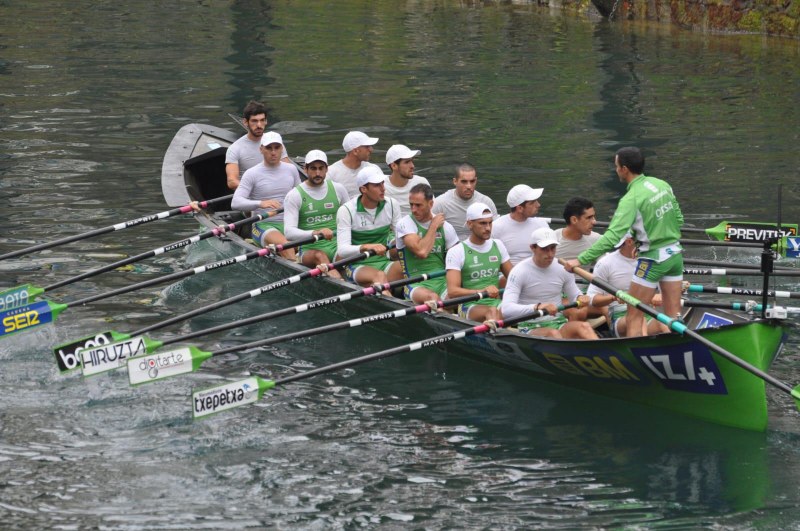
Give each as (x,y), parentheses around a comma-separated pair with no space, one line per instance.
(686,367)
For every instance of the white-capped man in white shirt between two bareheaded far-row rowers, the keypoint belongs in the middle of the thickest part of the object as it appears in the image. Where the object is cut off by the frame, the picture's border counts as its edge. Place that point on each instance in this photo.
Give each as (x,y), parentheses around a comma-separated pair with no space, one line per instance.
(514,229)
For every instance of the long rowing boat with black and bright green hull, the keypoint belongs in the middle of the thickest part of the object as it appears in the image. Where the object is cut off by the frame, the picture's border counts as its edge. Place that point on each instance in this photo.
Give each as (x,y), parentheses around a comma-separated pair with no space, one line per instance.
(668,371)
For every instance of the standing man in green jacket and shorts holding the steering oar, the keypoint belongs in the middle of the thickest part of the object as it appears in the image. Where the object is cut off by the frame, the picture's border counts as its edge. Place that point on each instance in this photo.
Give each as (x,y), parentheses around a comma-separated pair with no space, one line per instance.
(651,213)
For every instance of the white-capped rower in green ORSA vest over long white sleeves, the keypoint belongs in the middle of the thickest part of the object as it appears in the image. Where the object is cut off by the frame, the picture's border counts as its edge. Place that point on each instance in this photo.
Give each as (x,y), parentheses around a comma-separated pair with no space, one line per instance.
(310,209)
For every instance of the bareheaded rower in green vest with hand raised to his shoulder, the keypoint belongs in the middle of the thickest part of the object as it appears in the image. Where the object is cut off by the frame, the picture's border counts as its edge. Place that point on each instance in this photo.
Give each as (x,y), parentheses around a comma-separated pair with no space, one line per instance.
(422,243)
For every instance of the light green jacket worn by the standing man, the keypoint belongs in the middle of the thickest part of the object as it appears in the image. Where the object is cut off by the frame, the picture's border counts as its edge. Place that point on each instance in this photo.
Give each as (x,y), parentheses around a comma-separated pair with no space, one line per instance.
(650,211)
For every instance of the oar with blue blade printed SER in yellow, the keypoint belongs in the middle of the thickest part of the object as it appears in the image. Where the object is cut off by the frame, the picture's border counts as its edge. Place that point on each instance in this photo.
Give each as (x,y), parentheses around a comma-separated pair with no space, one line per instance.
(55,308)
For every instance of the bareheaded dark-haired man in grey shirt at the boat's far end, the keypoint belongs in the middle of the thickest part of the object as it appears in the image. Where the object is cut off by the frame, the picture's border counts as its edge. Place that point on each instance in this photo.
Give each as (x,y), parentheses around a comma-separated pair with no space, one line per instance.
(245,152)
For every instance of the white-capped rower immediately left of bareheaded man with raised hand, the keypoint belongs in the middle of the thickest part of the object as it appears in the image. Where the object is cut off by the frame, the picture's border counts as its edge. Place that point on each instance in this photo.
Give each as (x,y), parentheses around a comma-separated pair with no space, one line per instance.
(365,222)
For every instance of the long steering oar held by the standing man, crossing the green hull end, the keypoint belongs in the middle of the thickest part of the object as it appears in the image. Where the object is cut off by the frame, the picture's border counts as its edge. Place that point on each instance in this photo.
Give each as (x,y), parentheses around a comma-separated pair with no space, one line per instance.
(682,329)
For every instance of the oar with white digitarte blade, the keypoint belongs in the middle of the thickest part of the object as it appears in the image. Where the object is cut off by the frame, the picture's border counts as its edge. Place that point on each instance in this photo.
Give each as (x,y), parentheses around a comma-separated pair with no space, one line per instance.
(187,359)
